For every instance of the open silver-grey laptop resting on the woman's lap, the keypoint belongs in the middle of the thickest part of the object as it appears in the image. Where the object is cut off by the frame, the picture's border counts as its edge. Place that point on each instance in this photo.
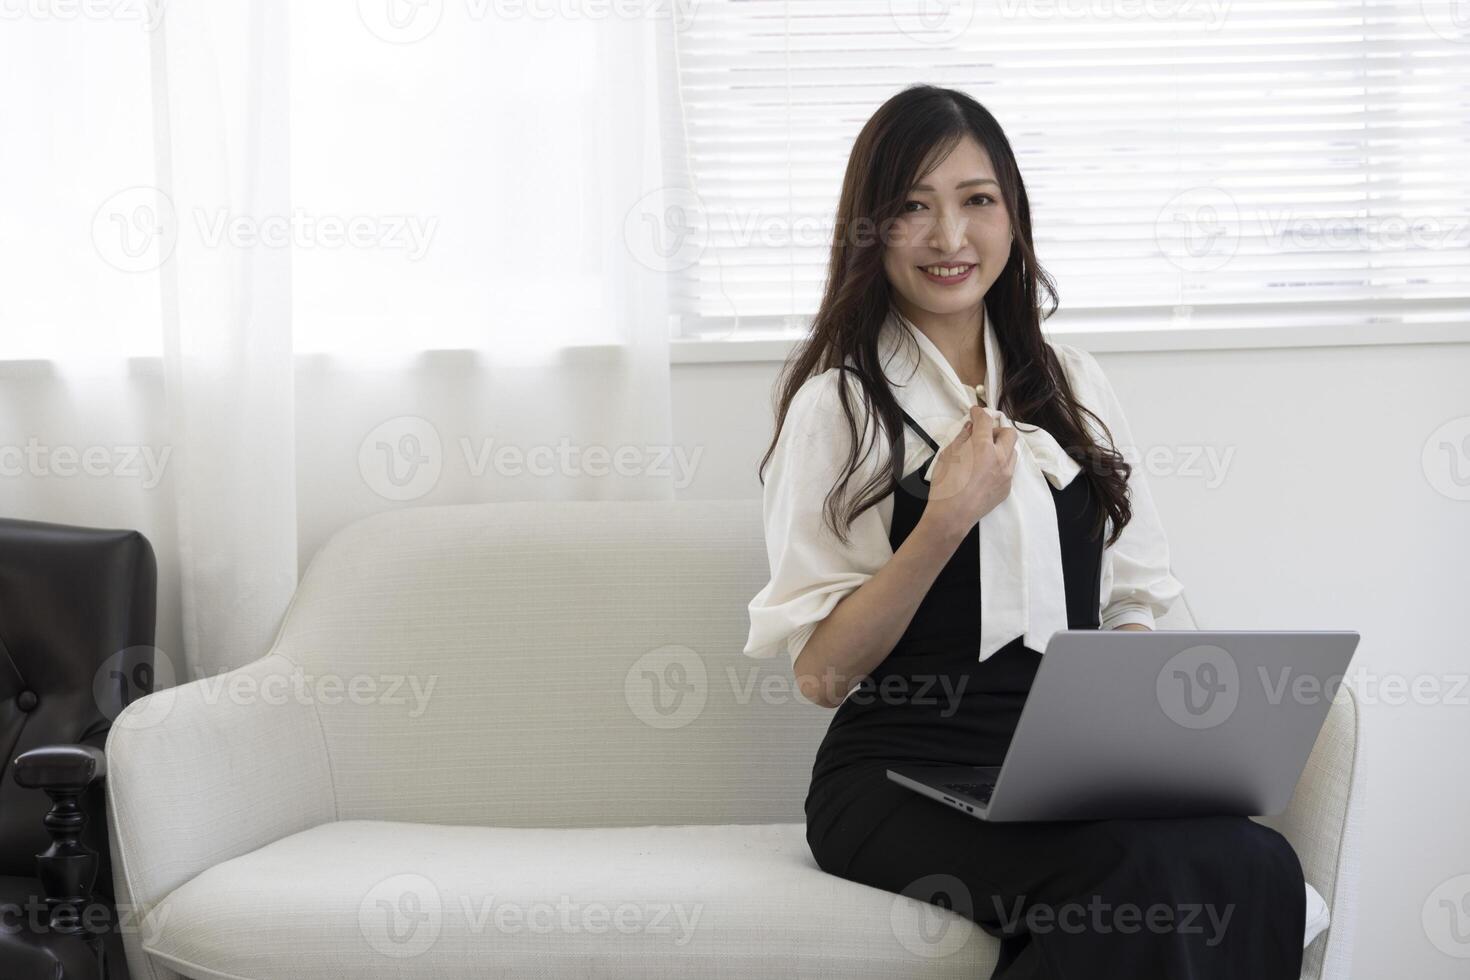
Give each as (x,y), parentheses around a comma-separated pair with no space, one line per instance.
(1156,724)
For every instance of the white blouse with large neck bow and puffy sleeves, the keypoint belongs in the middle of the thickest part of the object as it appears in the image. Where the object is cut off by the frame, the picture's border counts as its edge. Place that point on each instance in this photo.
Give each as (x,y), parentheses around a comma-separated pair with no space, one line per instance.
(1022,590)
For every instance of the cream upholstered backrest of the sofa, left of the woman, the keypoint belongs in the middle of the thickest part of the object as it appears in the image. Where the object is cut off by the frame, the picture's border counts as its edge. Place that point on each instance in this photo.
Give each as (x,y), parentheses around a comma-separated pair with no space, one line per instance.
(551,663)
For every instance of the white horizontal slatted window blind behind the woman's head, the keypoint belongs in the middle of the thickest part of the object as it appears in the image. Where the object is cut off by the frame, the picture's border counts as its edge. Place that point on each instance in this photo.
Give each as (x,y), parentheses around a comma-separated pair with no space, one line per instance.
(1249,161)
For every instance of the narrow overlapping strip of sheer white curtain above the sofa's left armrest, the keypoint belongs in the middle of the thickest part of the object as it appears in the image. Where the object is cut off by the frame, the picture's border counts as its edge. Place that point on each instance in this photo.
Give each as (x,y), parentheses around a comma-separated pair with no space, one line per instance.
(223,156)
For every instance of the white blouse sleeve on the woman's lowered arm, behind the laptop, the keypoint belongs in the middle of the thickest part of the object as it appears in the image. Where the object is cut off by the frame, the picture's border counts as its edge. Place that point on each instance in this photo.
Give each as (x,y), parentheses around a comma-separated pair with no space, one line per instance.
(1139,586)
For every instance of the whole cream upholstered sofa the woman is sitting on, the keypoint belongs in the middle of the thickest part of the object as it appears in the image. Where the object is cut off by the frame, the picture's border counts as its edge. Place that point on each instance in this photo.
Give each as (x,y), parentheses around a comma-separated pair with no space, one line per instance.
(590,779)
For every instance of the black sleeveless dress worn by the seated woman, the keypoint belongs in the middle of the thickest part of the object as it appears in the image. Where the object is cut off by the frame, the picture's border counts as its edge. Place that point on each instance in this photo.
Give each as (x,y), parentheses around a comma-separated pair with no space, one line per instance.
(1066,898)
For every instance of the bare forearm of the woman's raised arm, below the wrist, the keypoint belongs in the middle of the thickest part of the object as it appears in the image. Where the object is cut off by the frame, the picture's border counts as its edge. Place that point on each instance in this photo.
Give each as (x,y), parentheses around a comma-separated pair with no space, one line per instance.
(865,627)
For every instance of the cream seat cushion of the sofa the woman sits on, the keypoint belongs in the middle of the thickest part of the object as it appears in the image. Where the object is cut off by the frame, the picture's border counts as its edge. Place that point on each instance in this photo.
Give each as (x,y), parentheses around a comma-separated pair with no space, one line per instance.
(365,898)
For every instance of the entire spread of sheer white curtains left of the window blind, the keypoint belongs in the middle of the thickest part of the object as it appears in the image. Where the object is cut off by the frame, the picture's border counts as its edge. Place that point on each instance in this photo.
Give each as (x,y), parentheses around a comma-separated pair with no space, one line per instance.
(384,264)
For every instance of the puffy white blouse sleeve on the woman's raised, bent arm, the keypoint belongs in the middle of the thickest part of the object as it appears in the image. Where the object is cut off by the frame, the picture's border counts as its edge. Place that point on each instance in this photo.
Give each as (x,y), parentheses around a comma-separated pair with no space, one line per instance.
(811,569)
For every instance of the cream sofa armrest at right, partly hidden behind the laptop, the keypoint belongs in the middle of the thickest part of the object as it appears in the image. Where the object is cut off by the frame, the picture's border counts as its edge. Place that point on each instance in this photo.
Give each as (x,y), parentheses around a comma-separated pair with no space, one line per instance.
(1322,822)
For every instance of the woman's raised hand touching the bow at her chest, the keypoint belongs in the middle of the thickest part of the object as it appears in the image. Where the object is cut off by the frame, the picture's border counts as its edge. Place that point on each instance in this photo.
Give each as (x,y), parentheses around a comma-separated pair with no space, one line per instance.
(972,475)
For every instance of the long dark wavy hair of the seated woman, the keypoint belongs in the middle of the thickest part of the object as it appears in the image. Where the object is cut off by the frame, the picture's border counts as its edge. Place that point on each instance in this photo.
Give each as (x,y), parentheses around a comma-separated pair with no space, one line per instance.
(906,139)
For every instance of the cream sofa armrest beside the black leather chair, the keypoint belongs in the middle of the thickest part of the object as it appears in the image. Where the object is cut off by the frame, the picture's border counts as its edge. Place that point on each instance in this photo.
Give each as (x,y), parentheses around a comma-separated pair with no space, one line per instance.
(207,772)
